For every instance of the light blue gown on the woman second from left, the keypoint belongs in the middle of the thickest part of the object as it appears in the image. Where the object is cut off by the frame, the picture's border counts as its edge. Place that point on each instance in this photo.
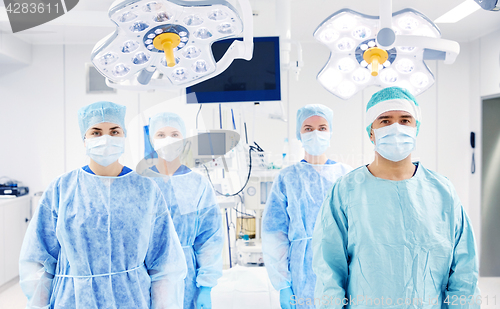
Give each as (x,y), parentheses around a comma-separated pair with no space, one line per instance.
(197,219)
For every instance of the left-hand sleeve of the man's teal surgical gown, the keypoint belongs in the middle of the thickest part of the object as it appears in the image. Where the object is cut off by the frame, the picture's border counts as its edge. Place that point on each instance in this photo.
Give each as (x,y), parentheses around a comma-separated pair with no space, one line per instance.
(330,257)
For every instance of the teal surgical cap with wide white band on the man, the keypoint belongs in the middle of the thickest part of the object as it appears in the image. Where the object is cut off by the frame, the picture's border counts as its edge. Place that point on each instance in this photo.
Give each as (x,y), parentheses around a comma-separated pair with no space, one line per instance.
(391,99)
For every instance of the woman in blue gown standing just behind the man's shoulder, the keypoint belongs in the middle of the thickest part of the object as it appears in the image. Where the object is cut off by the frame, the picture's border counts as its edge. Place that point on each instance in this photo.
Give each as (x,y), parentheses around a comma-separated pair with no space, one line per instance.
(292,207)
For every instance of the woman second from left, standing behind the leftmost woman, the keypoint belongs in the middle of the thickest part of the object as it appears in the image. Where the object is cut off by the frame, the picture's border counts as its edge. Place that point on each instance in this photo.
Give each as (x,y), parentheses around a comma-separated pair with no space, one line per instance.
(193,207)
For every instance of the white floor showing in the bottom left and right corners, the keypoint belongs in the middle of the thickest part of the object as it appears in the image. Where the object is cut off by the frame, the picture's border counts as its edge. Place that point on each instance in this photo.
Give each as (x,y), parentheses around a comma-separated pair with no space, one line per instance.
(12,297)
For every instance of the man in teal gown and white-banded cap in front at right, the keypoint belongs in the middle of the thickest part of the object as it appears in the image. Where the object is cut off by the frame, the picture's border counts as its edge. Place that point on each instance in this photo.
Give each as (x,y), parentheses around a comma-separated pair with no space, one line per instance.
(394,233)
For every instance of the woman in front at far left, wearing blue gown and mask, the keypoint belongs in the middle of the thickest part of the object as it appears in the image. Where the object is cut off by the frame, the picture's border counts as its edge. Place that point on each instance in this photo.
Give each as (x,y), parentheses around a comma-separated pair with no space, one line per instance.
(102,236)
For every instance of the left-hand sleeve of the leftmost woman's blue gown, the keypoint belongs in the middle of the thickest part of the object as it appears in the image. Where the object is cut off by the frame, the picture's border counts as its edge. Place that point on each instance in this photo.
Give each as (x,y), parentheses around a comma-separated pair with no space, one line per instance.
(38,258)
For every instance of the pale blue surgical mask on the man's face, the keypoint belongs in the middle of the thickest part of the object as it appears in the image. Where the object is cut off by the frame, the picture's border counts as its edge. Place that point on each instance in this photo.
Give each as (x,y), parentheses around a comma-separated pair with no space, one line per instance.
(395,142)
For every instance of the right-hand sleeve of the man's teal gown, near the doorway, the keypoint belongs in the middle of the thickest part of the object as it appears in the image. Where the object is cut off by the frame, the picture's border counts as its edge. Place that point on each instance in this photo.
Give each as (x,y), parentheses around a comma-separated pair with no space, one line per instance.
(463,276)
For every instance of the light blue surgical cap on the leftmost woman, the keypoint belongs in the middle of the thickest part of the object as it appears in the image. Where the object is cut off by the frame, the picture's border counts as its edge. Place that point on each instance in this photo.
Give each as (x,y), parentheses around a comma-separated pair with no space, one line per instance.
(100,112)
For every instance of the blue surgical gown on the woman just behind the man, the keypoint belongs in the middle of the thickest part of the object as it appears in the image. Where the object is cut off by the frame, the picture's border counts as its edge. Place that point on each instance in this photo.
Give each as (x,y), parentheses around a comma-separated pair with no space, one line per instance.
(288,223)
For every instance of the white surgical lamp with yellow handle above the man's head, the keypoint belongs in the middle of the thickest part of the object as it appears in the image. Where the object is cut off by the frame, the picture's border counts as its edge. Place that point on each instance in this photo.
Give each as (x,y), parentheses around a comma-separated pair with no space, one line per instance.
(385,51)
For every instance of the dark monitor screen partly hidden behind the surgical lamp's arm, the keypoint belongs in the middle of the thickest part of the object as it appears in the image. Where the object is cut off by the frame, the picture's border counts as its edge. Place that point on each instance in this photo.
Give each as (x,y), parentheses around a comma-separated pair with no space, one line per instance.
(255,80)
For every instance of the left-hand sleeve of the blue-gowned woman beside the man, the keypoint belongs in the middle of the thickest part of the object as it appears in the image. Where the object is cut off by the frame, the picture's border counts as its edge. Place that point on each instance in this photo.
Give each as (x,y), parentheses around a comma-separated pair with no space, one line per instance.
(275,242)
